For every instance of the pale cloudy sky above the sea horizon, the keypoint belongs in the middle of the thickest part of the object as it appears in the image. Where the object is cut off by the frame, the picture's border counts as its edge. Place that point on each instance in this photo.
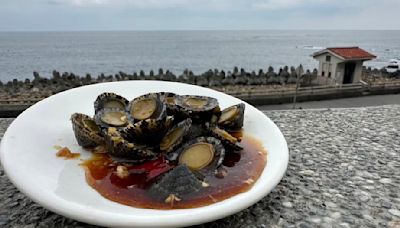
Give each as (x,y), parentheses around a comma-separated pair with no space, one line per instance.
(44,15)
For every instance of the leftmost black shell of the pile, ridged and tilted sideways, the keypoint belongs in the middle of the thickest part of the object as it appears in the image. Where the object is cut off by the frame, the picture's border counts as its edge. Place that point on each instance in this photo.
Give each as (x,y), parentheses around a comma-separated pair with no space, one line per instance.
(87,137)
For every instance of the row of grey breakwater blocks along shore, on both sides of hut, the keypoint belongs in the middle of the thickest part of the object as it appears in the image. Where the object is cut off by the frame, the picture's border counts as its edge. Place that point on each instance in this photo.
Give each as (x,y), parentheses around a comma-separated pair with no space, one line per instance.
(237,81)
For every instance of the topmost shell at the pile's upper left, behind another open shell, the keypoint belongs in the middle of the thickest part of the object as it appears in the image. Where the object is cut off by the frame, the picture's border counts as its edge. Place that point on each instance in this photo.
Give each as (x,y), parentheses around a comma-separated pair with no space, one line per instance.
(110,100)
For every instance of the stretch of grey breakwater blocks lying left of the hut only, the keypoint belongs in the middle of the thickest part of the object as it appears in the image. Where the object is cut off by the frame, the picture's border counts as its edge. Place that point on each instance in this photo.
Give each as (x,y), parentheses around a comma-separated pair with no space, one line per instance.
(41,87)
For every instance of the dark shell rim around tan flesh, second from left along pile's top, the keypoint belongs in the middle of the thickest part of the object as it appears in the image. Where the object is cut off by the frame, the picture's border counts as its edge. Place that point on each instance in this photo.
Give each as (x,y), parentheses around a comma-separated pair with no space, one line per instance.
(160,112)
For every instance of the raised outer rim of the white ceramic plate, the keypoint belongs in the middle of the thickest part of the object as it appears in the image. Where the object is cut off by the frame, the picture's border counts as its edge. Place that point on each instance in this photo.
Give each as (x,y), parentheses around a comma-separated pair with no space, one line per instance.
(63,210)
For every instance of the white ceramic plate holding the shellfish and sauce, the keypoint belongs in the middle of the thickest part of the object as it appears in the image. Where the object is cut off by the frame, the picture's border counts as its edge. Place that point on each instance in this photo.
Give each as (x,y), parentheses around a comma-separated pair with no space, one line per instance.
(28,158)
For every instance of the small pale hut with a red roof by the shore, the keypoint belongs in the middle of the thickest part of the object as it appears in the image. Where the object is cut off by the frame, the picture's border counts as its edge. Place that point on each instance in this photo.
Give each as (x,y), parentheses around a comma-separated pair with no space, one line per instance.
(341,65)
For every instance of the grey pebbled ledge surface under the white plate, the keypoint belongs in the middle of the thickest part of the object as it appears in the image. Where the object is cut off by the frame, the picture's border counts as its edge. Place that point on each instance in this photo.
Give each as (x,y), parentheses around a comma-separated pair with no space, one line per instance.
(344,171)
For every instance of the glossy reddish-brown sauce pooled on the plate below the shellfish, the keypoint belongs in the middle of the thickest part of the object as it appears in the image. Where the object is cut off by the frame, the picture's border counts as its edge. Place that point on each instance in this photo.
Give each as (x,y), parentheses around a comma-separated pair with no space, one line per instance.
(241,170)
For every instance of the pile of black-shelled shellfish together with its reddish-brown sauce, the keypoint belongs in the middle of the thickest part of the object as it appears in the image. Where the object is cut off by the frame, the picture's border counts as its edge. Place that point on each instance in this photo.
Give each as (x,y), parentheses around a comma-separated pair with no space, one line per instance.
(167,151)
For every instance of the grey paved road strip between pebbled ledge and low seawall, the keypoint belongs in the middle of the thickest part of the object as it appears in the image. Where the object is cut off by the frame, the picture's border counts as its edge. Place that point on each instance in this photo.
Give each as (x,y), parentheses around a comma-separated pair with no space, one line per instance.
(340,103)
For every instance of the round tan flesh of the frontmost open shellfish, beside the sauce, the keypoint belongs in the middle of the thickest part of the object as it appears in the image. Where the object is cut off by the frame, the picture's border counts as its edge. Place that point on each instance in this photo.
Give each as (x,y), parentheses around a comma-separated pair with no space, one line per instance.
(197,156)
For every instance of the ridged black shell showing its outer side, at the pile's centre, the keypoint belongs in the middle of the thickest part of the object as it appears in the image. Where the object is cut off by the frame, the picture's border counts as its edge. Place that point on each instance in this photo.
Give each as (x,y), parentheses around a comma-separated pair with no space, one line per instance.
(149,131)
